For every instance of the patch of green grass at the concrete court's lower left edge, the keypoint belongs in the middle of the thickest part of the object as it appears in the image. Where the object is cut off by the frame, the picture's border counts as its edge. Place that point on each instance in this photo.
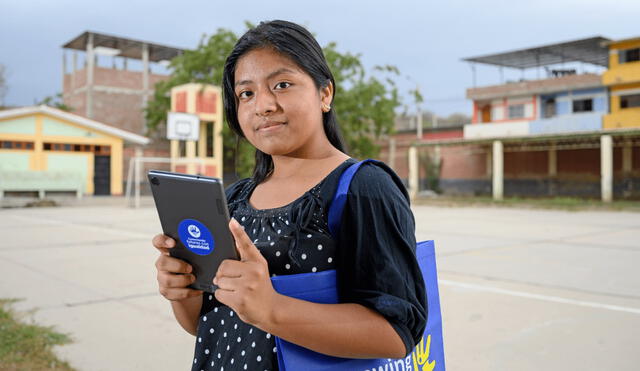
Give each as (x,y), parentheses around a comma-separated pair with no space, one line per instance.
(26,346)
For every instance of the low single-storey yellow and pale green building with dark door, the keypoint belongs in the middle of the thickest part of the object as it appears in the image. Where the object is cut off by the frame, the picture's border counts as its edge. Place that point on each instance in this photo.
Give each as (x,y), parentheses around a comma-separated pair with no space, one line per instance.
(43,149)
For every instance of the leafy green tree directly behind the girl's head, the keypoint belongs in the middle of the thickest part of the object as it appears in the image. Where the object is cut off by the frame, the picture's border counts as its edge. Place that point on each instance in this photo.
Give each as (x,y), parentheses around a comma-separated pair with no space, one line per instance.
(365,105)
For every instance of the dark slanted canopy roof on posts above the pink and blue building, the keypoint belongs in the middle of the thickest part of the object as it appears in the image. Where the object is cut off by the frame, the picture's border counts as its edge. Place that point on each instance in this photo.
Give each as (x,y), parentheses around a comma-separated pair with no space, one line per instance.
(593,50)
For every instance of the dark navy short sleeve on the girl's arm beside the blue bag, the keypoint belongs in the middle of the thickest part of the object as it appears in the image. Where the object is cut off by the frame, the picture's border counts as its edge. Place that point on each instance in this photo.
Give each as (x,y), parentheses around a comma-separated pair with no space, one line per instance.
(377,263)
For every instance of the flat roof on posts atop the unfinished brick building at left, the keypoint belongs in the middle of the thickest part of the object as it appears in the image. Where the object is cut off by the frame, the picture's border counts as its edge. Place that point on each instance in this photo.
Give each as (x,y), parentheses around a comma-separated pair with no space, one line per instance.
(129,48)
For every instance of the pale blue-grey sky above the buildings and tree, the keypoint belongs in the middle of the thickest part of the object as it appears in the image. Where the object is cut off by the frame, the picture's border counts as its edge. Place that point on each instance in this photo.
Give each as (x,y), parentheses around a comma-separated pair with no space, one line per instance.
(426,40)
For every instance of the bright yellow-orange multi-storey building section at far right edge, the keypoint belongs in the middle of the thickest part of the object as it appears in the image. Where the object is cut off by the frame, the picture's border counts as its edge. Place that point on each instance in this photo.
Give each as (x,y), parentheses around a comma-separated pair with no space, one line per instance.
(623,80)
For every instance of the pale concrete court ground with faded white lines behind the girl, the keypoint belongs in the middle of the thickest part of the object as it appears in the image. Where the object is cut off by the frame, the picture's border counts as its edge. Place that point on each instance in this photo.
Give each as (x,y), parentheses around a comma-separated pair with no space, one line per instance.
(520,289)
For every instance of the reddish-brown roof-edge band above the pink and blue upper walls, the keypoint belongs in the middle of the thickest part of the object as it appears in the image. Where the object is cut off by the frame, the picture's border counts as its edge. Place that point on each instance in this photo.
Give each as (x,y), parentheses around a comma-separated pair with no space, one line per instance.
(556,84)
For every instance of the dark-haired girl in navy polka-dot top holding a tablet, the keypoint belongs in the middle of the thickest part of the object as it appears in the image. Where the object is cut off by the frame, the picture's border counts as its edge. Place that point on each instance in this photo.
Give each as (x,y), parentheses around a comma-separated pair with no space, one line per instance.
(278,92)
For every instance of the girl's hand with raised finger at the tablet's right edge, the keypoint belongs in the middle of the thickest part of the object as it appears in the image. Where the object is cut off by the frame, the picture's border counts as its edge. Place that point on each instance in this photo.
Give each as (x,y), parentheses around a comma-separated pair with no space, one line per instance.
(244,285)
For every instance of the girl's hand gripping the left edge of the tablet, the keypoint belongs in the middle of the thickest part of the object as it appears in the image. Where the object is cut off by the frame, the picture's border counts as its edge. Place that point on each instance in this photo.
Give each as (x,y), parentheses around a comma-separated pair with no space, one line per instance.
(174,275)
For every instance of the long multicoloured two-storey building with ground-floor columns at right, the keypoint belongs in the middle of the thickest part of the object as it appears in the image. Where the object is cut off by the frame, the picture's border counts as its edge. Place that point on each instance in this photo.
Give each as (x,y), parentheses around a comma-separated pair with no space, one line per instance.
(566,134)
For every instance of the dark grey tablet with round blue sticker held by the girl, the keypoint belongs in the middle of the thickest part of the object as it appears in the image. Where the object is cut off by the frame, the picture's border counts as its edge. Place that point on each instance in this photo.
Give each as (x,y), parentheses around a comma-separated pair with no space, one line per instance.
(193,211)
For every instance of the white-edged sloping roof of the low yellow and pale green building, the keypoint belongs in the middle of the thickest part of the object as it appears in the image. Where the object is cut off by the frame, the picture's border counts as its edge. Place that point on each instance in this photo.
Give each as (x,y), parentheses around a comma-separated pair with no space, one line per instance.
(82,121)
